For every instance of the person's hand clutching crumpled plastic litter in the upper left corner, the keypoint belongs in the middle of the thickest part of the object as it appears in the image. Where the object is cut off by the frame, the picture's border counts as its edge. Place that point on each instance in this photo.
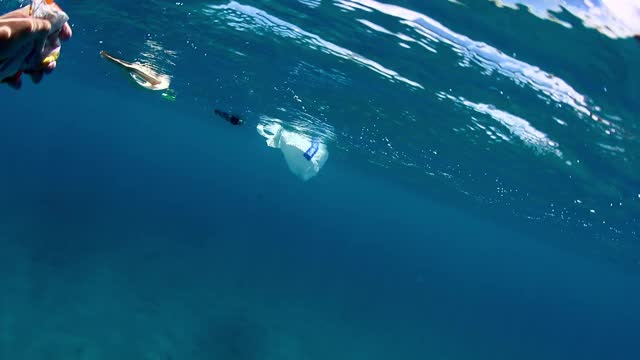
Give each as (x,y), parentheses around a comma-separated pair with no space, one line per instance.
(22,37)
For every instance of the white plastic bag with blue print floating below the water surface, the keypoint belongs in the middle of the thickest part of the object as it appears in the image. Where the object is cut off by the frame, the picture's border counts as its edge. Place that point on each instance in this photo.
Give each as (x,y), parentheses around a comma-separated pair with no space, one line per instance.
(304,156)
